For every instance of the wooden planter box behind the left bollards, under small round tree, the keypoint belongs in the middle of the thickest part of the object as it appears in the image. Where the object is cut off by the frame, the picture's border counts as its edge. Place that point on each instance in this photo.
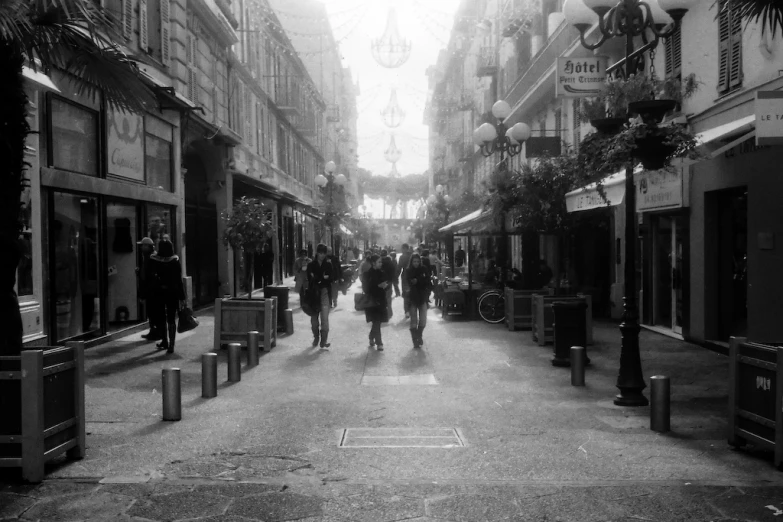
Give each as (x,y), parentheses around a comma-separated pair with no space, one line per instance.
(235,317)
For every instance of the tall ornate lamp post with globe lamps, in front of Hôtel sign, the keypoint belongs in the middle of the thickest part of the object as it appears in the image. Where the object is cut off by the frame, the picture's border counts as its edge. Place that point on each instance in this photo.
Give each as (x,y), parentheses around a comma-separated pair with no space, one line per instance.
(628,18)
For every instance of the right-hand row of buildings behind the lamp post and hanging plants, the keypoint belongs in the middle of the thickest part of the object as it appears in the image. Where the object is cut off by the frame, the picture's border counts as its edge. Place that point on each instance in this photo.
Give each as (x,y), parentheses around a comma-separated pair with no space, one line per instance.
(707,256)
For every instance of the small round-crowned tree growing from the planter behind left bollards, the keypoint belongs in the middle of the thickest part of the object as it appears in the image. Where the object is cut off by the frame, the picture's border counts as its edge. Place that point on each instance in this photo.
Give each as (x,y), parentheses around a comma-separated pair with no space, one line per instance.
(248,227)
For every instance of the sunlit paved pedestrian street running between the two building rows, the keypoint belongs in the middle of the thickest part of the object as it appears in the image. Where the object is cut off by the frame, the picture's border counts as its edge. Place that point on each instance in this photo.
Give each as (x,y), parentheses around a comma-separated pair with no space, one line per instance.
(478,425)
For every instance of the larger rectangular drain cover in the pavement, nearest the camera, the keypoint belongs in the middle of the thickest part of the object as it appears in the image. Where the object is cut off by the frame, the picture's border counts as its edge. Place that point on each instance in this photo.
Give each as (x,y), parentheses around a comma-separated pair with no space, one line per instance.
(401,438)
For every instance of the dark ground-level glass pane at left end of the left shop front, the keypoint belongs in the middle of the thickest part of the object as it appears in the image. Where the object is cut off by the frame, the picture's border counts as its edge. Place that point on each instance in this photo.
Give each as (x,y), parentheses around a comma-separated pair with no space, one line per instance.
(75,262)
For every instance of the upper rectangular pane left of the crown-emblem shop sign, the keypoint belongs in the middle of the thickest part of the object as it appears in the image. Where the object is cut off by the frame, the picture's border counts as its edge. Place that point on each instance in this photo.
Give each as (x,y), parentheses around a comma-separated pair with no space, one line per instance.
(74,138)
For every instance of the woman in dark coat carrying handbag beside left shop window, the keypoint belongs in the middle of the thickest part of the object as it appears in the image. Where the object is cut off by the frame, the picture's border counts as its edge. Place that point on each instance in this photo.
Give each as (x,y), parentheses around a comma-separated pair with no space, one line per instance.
(168,289)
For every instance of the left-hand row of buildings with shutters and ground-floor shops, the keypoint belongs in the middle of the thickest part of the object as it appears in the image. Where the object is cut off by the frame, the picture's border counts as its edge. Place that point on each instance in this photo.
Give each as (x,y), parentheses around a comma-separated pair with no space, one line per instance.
(238,115)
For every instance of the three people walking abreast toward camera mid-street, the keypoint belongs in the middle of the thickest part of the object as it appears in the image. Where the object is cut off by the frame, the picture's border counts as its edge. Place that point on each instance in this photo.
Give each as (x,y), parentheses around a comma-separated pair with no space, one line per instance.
(318,281)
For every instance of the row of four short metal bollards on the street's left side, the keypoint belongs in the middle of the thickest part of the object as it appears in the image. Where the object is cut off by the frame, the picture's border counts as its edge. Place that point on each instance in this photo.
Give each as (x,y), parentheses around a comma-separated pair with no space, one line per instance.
(172,390)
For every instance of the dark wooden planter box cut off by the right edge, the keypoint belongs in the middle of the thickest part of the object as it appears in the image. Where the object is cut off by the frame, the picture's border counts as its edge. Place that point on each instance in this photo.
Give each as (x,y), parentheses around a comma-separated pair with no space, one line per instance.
(755,401)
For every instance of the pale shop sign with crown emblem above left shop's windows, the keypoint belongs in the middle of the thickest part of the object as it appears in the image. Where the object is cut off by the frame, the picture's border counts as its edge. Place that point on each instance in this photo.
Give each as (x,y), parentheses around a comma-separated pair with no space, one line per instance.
(125,144)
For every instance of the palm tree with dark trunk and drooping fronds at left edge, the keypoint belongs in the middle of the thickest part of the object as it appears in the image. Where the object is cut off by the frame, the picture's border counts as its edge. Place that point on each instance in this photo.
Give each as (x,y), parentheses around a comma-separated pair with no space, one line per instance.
(66,35)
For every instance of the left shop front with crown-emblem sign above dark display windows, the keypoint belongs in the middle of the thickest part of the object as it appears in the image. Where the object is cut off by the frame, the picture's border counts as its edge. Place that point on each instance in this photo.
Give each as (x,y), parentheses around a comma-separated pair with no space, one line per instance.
(107,180)
